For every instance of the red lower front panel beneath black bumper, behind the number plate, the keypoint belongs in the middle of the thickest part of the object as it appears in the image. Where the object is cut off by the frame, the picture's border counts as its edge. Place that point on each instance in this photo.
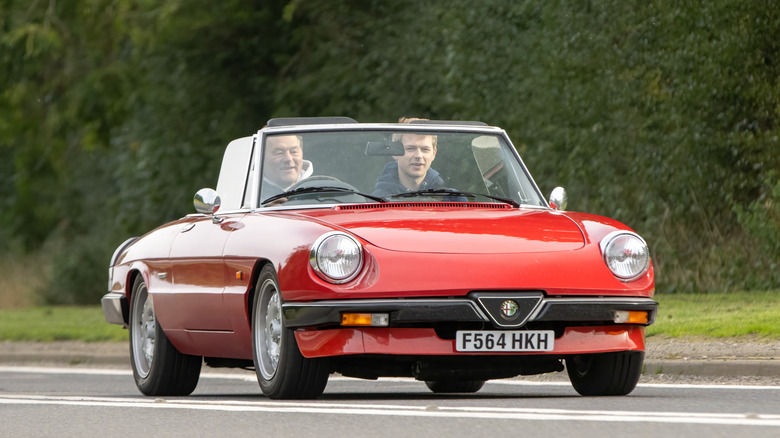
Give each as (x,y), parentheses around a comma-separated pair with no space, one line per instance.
(423,341)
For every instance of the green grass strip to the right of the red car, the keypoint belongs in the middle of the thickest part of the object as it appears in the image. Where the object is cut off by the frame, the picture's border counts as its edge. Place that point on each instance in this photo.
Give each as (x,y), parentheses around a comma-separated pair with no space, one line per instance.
(718,315)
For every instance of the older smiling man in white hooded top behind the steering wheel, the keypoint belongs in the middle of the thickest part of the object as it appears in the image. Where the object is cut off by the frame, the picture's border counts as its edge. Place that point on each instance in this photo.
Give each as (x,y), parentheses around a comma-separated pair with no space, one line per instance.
(284,164)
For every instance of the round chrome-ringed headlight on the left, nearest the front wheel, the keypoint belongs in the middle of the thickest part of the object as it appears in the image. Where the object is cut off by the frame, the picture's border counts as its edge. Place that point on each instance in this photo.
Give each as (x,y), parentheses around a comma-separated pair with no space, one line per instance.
(336,257)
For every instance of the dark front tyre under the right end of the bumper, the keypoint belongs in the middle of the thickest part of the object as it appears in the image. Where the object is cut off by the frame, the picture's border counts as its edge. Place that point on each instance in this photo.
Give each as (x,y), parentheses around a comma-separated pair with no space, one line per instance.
(605,373)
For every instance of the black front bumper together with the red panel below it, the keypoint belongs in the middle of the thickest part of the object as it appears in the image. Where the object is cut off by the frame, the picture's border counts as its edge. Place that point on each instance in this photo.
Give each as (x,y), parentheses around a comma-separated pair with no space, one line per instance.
(425,327)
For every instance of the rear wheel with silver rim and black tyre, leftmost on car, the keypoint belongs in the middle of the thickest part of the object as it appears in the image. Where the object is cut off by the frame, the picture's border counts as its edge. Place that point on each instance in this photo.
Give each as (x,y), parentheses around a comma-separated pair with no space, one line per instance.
(158,367)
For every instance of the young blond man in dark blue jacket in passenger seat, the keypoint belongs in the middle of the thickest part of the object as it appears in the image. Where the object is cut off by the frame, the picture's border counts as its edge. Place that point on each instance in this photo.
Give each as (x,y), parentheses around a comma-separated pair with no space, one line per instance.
(411,171)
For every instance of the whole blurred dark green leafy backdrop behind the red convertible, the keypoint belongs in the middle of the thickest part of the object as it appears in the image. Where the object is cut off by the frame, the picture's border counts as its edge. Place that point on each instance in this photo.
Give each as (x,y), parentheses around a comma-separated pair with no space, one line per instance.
(661,114)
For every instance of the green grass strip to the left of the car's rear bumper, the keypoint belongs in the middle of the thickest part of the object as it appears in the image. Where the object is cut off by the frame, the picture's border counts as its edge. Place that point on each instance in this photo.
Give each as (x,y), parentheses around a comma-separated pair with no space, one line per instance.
(58,323)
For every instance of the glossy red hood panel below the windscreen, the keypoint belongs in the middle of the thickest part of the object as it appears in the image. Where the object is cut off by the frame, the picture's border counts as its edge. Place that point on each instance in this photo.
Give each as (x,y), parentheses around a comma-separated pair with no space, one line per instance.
(474,231)
